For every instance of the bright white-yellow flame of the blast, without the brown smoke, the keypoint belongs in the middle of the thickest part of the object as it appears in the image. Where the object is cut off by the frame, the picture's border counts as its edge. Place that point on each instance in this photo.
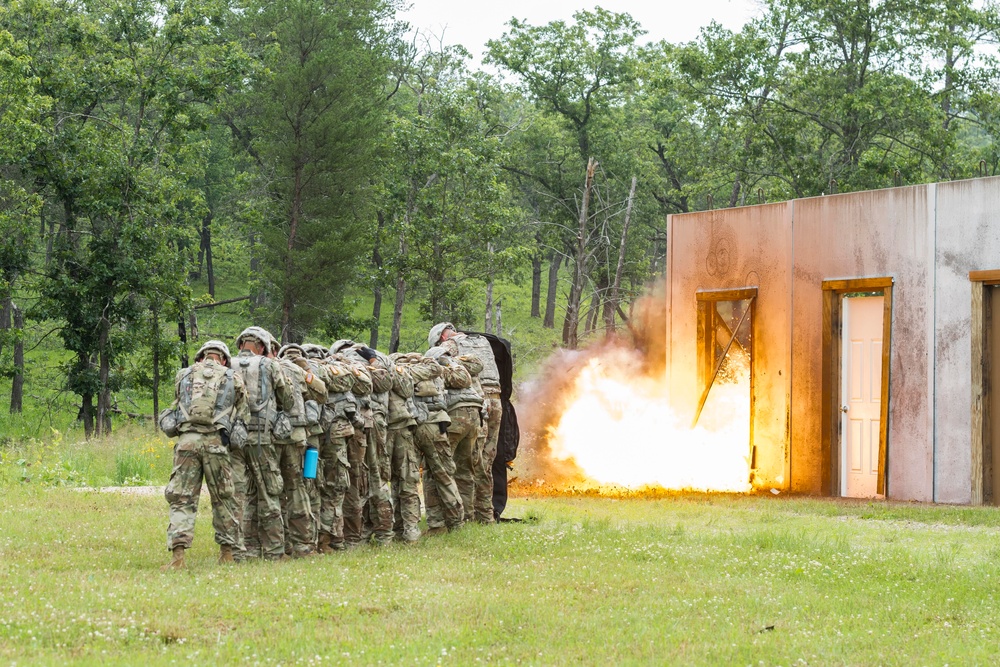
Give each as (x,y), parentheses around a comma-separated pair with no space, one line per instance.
(620,429)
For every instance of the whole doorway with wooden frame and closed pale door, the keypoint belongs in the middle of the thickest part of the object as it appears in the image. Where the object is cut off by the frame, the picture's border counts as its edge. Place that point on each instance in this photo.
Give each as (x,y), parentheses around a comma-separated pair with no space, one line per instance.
(857,323)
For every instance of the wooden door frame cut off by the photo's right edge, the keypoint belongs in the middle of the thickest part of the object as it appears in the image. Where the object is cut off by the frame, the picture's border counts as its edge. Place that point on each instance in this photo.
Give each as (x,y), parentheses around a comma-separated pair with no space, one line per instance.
(981,436)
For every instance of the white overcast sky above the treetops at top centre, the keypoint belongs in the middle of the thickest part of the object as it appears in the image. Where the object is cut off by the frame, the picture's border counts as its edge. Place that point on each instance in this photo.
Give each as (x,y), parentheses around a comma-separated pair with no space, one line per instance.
(472,22)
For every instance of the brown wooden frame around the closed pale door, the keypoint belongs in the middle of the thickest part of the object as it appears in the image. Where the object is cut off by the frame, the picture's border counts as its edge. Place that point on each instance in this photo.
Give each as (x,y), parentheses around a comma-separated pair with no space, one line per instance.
(832,436)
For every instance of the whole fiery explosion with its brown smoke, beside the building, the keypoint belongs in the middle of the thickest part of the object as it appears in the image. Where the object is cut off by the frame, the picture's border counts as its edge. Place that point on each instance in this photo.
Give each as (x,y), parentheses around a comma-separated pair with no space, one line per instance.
(604,420)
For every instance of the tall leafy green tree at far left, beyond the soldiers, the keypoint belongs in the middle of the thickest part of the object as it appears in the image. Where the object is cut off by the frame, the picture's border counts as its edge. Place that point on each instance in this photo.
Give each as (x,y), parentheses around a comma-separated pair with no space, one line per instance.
(129,79)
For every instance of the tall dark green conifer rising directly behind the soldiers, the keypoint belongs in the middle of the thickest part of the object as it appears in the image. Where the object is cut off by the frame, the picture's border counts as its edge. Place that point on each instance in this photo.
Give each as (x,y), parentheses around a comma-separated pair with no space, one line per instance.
(311,119)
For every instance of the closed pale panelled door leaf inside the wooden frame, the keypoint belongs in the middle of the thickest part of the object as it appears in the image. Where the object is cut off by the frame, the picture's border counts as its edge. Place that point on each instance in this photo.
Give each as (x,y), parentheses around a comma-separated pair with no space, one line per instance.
(861,393)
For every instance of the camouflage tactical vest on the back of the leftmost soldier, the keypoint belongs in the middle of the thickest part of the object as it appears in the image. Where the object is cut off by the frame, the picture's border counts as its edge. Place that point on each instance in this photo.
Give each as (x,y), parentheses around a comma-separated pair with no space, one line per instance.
(205,397)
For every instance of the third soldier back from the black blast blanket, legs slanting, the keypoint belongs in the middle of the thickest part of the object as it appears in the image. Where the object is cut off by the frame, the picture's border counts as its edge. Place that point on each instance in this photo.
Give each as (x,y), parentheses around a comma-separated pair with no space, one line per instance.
(441,497)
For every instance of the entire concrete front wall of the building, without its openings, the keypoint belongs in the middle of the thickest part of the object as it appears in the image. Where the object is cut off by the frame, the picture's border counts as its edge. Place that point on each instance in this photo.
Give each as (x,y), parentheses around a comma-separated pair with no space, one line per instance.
(927,238)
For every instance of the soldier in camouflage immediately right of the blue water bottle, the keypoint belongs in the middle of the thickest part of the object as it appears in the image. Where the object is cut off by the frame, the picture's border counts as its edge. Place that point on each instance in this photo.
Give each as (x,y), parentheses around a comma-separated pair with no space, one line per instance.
(337,419)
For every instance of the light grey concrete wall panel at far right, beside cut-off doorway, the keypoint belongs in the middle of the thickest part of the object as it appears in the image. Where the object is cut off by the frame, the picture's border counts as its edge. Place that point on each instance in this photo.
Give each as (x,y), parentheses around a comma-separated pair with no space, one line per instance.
(968,239)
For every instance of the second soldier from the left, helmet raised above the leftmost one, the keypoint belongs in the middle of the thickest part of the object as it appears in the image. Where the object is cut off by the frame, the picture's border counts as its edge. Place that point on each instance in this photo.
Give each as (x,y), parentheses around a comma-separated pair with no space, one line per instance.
(270,398)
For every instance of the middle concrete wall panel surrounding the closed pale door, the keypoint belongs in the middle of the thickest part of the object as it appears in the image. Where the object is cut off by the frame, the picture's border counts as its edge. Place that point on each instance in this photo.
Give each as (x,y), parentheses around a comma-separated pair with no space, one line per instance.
(867,235)
